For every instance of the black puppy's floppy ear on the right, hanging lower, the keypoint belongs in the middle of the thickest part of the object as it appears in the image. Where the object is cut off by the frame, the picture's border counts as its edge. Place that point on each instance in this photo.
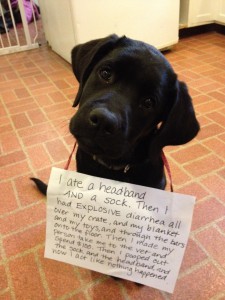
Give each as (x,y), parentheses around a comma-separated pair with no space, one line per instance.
(180,125)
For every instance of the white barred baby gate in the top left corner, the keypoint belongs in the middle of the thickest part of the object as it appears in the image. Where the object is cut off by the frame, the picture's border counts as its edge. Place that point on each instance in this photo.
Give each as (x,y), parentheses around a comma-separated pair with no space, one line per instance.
(19,37)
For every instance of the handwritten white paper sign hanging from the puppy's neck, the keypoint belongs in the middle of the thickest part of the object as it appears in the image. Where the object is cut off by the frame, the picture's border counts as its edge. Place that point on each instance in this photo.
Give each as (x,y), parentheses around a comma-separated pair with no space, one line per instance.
(120,229)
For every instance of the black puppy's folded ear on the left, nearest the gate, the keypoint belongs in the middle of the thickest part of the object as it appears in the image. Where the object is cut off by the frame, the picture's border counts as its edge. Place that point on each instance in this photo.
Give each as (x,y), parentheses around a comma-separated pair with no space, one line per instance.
(85,56)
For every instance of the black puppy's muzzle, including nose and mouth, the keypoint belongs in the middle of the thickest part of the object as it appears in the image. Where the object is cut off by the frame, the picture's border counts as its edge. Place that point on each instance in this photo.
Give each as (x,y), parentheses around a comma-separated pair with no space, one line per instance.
(99,131)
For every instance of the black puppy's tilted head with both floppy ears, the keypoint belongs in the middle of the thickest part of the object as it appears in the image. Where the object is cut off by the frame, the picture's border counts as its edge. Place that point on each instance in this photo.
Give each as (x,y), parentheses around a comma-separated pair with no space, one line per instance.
(128,93)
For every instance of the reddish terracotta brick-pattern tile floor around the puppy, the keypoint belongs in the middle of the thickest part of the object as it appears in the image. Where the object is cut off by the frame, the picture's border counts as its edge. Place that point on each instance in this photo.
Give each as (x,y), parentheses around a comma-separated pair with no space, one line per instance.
(36,92)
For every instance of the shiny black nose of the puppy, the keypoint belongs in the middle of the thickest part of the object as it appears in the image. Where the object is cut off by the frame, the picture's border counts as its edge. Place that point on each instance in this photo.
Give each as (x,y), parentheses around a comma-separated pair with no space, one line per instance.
(103,120)
